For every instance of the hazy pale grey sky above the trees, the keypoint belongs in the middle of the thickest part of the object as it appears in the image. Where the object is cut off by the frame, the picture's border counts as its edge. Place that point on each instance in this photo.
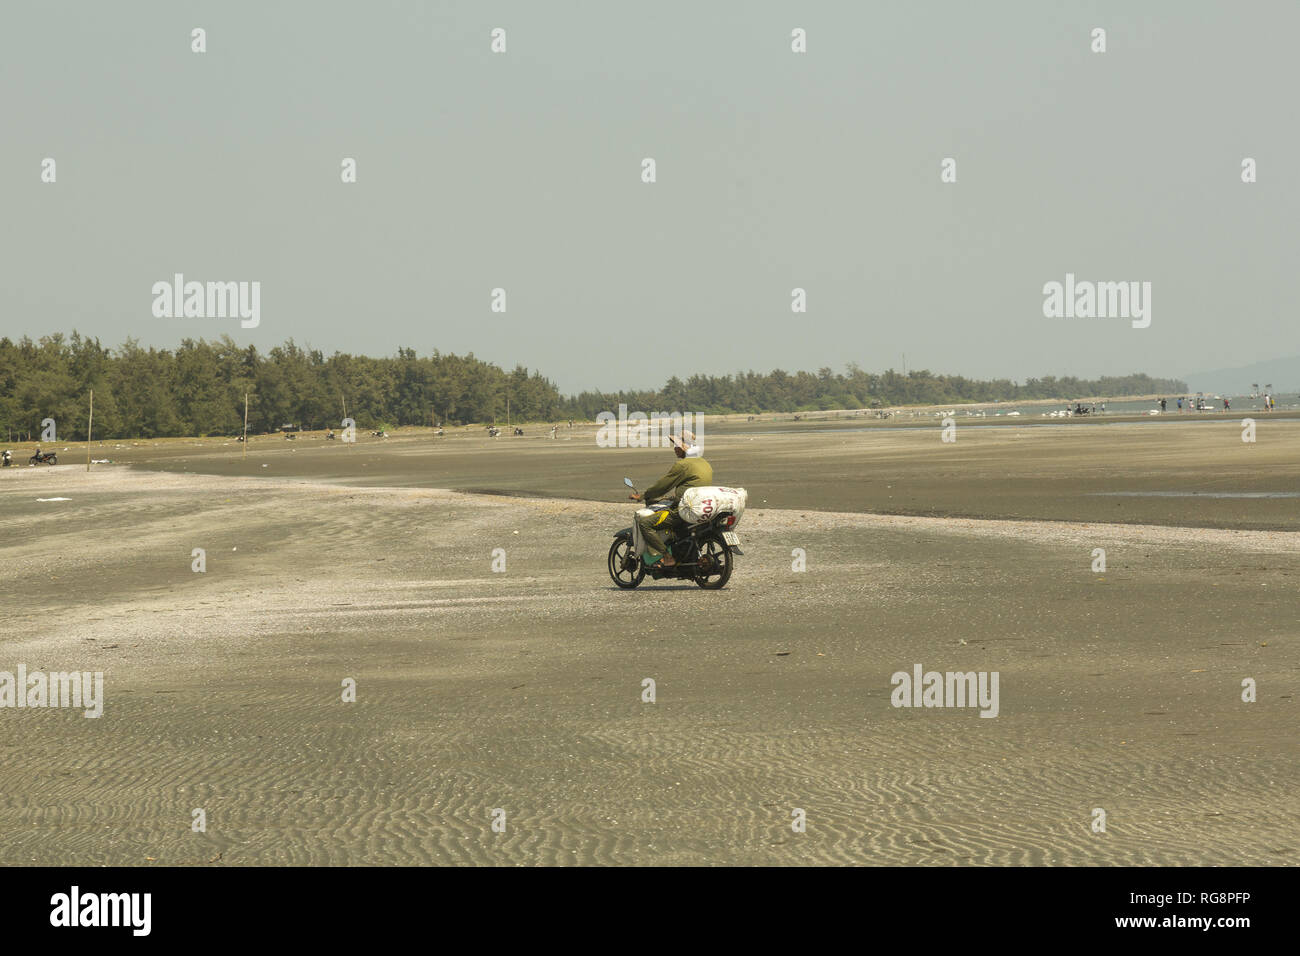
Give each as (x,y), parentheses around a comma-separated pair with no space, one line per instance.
(775,171)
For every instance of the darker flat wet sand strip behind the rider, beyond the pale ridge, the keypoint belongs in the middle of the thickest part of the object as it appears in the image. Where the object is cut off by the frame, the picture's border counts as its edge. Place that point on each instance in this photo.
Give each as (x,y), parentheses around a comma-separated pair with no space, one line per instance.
(1078,471)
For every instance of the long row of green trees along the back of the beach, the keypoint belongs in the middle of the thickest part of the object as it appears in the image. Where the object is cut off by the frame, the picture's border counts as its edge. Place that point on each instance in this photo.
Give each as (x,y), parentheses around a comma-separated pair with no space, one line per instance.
(200,390)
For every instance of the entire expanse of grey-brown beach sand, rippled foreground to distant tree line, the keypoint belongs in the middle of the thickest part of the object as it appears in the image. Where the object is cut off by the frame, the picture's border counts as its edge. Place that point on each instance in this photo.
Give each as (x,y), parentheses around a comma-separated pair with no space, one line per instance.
(523,690)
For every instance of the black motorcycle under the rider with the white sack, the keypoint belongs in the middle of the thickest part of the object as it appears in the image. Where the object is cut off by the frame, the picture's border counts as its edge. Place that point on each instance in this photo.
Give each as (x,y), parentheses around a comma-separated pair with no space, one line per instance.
(704,552)
